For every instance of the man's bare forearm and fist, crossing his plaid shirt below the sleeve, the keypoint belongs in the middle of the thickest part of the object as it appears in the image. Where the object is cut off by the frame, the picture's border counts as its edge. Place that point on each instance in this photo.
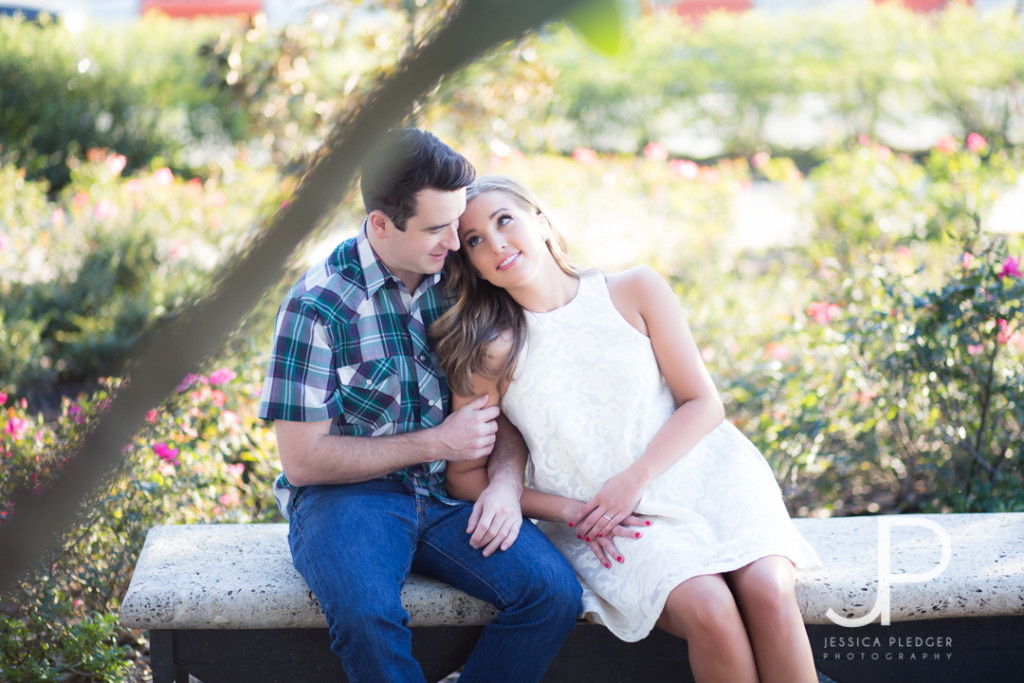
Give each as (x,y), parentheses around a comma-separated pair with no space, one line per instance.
(311,455)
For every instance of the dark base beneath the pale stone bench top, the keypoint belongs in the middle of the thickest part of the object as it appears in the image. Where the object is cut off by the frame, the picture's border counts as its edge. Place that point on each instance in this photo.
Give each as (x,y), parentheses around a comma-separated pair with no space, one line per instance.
(929,652)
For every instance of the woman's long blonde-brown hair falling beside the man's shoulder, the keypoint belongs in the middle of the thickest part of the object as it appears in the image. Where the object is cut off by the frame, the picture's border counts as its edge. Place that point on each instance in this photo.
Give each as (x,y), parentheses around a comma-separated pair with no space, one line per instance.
(481,313)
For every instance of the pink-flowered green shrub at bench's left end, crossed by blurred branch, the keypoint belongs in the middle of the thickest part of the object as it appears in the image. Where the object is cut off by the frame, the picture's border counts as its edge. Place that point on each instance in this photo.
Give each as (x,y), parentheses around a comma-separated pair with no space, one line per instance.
(203,457)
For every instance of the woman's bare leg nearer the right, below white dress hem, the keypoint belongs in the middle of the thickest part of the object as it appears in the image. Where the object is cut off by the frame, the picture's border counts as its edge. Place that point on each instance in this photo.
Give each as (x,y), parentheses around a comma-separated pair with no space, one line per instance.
(764,591)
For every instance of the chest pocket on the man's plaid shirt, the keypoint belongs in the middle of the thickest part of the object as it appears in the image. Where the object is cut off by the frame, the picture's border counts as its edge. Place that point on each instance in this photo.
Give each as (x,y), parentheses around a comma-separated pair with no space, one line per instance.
(371,394)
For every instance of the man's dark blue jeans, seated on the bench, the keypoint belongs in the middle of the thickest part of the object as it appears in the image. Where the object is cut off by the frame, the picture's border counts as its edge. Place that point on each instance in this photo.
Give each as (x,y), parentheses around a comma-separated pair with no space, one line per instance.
(356,545)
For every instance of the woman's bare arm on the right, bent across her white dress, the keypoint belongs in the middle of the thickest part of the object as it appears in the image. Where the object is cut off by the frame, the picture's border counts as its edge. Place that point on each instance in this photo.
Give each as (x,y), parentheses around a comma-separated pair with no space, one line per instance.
(649,304)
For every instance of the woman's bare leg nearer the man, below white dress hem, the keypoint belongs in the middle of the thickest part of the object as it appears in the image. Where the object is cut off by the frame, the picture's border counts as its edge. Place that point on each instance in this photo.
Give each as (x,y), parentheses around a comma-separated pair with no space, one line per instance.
(704,612)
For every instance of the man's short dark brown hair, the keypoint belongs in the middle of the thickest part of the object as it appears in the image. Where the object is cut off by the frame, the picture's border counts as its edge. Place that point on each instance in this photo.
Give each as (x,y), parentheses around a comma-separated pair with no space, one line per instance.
(405,162)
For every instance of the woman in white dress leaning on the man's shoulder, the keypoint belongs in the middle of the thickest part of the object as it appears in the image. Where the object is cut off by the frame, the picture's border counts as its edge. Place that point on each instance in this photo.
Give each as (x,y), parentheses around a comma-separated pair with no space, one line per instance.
(605,381)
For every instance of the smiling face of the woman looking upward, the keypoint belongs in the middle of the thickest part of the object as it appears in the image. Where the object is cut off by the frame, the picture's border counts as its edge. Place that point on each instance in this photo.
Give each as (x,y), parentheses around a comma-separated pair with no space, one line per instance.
(504,241)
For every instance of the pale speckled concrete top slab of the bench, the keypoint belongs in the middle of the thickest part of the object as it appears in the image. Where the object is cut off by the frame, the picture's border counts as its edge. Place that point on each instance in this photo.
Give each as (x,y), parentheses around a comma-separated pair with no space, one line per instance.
(241,576)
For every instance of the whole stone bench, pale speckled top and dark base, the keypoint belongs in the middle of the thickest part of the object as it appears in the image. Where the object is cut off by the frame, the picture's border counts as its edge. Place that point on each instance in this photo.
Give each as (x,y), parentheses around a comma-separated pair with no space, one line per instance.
(223,604)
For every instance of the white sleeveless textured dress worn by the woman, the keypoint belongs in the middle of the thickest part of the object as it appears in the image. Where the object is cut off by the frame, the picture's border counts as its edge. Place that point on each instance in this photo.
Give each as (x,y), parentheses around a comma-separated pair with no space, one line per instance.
(588,397)
